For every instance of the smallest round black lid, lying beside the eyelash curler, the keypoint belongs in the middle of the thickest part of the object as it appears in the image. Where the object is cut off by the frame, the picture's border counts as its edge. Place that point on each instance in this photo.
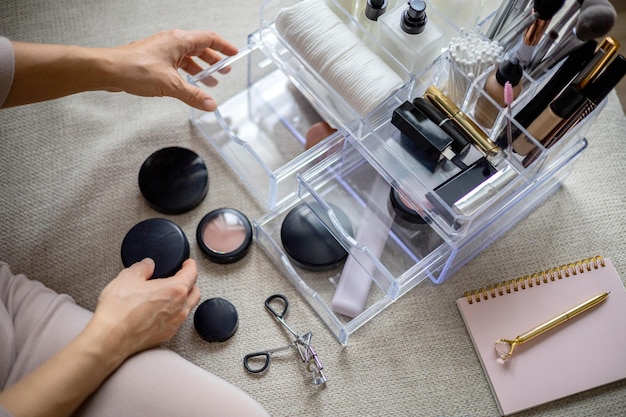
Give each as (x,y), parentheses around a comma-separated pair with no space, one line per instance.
(216,320)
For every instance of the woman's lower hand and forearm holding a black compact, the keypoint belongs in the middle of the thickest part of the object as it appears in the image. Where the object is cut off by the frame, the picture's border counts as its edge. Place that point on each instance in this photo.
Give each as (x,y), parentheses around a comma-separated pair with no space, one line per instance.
(133,313)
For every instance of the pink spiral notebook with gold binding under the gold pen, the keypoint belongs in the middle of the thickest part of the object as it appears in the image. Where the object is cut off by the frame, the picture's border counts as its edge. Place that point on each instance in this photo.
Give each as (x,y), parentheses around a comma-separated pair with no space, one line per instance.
(584,352)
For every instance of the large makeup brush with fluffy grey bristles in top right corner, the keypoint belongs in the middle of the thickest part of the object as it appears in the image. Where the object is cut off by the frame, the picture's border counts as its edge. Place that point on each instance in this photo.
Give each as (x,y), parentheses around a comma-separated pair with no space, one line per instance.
(595,19)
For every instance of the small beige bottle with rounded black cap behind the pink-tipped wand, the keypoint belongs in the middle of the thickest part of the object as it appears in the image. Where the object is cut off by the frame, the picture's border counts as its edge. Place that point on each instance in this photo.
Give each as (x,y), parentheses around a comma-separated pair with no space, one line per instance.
(485,113)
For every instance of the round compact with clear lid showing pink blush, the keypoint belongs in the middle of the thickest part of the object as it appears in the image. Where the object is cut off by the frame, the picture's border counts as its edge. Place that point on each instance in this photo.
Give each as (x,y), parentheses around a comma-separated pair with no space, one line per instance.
(224,235)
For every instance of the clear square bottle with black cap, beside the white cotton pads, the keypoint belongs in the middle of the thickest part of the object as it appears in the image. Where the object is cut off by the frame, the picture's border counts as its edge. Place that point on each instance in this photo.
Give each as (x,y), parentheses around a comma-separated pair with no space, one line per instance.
(409,36)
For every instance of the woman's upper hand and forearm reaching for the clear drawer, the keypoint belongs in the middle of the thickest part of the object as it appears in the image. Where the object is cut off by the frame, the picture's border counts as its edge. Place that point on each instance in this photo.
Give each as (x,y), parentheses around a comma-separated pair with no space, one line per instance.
(148,68)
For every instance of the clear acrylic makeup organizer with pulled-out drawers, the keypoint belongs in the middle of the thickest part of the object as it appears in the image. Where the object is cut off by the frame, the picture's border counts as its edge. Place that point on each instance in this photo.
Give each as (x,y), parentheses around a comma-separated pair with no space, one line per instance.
(367,171)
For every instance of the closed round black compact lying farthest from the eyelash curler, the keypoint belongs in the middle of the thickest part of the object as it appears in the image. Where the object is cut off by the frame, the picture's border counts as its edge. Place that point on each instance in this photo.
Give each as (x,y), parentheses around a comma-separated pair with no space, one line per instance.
(174,180)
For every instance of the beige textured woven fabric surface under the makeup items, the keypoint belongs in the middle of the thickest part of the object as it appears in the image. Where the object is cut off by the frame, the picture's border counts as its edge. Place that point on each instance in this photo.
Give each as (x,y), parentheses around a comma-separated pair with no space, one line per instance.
(68,174)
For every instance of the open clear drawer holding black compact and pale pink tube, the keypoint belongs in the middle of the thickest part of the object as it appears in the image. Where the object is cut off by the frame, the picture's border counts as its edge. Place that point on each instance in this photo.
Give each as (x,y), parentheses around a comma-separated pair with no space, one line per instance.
(342,185)
